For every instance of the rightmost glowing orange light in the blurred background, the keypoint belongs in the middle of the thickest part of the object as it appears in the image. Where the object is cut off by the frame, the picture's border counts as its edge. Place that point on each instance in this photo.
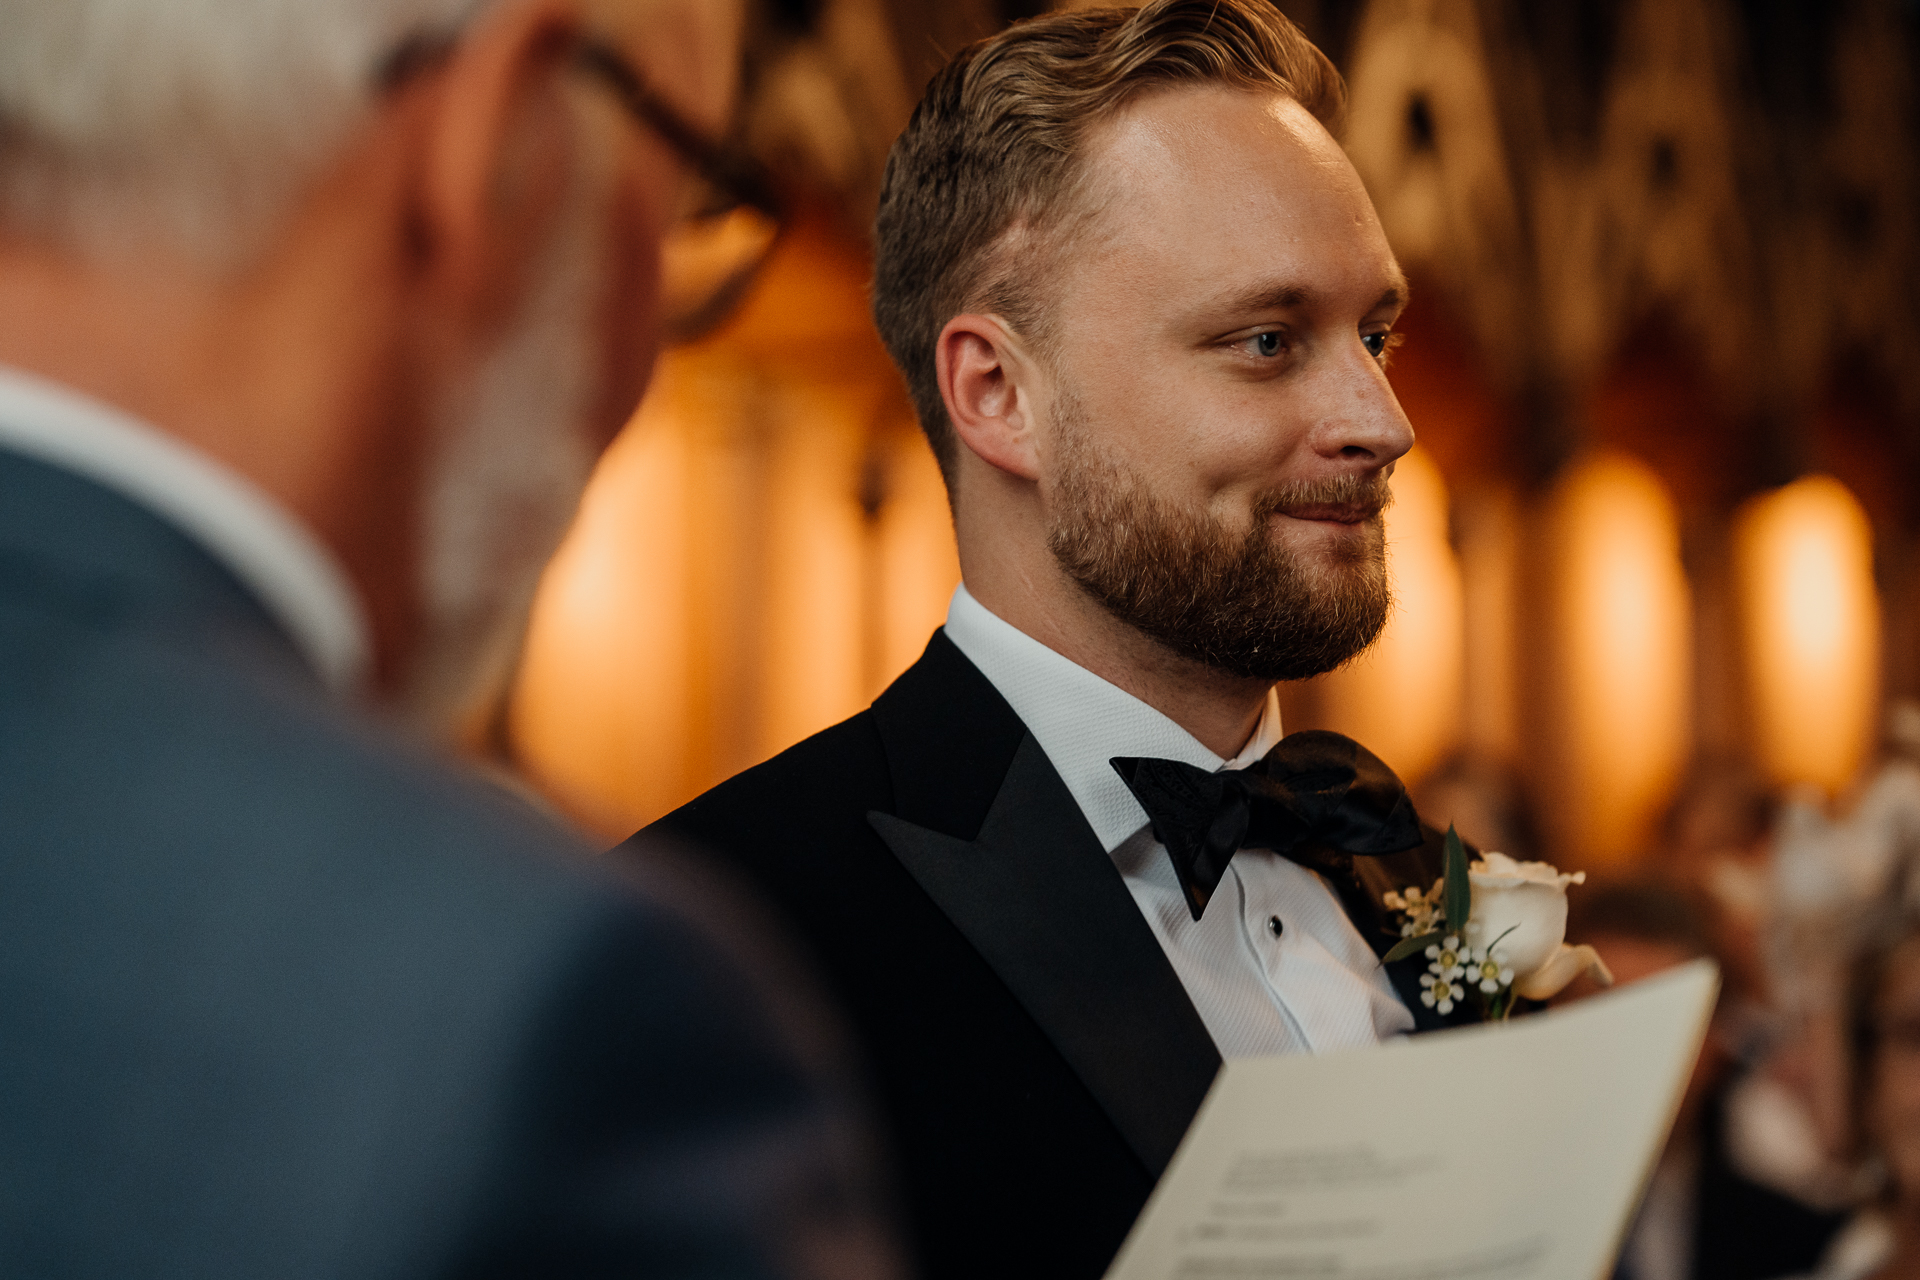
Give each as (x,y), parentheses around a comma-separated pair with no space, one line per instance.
(1812,627)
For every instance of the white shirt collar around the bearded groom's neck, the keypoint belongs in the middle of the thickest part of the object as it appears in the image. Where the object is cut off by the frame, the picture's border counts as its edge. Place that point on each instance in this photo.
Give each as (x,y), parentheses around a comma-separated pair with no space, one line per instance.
(1082,721)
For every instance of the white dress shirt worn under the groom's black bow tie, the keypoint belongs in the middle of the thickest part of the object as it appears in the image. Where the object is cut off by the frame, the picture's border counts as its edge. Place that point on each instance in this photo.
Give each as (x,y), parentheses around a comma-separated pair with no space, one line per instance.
(1305,985)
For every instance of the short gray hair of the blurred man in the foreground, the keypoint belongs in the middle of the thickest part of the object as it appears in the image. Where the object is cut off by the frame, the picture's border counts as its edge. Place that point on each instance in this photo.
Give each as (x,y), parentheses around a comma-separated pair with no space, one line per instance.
(189,120)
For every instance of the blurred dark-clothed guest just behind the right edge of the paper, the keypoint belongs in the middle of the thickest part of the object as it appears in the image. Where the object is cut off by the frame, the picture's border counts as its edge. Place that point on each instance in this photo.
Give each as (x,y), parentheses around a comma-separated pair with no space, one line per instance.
(1704,1218)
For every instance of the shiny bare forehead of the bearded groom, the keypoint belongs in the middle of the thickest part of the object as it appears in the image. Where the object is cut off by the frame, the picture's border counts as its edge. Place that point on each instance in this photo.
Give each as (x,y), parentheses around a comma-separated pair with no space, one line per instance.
(1211,191)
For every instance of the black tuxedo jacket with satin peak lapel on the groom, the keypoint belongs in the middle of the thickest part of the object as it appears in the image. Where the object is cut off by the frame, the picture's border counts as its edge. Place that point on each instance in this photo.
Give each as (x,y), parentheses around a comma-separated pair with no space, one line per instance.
(1034,1051)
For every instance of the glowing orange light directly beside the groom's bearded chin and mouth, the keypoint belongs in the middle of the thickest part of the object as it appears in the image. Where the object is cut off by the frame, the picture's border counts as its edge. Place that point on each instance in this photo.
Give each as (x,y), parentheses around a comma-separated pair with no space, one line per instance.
(1403,696)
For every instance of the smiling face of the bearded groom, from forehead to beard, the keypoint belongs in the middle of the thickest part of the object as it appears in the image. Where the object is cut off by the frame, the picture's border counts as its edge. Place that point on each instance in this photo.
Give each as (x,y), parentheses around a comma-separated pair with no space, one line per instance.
(1218,429)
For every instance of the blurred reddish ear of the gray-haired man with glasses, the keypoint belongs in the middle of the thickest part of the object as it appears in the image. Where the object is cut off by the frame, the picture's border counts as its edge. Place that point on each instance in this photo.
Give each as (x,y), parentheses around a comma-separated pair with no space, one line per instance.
(498,154)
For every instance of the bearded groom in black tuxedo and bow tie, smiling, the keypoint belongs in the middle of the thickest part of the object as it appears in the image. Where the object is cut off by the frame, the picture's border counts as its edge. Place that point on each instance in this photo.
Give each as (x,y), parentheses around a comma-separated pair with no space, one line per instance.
(1143,308)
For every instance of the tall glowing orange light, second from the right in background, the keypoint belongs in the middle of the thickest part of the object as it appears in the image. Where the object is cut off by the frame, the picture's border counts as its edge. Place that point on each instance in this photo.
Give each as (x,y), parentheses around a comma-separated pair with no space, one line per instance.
(1620,657)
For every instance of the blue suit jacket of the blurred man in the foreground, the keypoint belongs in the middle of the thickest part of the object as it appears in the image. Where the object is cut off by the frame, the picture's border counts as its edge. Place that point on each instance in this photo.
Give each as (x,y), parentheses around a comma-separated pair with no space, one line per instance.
(281,997)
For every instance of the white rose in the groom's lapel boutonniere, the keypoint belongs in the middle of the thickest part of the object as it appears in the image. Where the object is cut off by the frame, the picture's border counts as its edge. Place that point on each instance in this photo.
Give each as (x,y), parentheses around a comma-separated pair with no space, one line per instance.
(1522,911)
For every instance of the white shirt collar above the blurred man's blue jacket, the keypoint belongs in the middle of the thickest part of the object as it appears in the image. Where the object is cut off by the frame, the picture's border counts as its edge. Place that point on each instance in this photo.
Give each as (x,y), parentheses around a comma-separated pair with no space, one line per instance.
(287,569)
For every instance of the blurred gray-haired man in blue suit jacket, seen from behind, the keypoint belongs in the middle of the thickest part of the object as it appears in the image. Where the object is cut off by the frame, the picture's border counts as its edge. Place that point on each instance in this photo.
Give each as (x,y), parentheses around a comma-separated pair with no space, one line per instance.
(314,316)
